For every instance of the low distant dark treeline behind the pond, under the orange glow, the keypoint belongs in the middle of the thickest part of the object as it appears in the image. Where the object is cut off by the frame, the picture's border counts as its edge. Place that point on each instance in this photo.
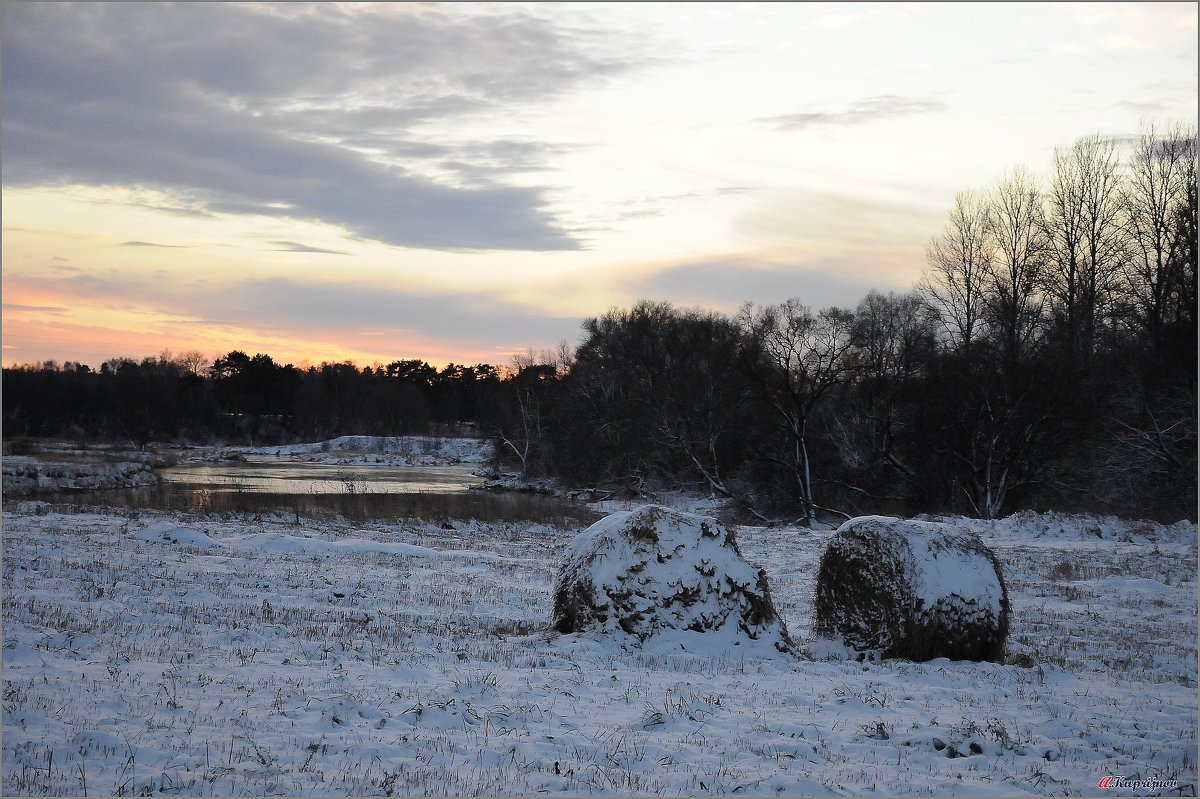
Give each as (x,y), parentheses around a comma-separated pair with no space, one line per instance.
(241,399)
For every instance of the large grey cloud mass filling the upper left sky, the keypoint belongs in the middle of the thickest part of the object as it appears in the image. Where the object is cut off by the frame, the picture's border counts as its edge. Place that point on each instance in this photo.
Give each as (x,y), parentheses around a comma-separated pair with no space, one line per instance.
(292,113)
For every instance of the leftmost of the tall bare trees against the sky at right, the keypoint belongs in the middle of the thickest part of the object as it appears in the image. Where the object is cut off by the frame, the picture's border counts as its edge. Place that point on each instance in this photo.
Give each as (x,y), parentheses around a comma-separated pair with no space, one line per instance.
(959,261)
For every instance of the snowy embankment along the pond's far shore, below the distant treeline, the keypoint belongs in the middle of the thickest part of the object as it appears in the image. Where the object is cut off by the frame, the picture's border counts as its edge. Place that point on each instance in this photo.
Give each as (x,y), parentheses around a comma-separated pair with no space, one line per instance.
(383,450)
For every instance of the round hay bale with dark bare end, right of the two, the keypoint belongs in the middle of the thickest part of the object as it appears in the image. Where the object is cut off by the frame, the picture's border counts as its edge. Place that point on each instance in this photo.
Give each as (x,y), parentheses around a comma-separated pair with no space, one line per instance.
(913,590)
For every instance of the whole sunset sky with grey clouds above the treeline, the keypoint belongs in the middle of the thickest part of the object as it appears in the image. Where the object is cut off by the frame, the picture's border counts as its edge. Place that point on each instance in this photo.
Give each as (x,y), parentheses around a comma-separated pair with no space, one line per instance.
(464,183)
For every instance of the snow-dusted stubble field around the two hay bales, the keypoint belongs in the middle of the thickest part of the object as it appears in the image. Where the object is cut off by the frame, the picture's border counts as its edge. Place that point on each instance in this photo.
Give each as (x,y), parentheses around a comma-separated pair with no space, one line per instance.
(179,656)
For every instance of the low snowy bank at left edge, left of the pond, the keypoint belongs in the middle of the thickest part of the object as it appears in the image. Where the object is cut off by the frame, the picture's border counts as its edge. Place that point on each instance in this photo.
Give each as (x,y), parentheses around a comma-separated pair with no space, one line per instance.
(25,476)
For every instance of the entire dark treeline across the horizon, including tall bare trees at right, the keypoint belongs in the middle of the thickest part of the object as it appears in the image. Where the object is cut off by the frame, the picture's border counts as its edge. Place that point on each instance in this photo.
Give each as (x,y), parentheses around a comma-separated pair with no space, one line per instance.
(1047,359)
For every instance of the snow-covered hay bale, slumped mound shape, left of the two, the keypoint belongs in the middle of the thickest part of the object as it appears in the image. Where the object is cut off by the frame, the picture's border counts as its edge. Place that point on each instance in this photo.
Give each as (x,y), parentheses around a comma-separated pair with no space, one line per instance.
(663,575)
